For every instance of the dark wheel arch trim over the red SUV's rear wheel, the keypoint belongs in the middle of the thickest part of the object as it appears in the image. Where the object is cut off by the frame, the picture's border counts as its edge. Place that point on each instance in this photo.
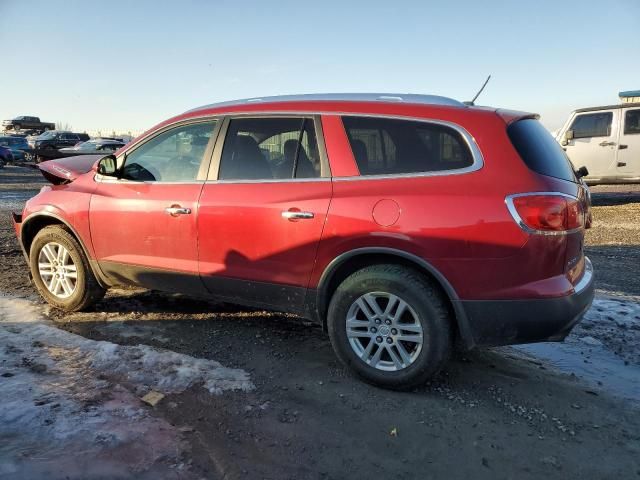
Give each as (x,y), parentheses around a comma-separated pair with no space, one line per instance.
(347,263)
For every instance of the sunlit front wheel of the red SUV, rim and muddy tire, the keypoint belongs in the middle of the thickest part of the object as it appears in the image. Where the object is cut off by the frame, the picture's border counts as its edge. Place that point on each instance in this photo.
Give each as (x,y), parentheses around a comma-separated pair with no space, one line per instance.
(61,270)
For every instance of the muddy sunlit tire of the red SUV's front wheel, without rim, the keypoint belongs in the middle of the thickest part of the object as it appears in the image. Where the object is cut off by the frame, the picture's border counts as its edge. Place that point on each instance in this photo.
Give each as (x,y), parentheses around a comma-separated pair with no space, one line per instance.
(87,289)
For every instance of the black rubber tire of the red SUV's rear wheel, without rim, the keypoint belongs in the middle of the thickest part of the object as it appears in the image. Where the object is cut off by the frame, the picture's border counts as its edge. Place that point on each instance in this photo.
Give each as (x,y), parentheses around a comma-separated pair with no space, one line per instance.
(426,301)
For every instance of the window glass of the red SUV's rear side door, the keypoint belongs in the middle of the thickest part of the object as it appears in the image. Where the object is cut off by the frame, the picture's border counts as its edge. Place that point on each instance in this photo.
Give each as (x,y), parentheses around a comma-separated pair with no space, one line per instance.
(270,149)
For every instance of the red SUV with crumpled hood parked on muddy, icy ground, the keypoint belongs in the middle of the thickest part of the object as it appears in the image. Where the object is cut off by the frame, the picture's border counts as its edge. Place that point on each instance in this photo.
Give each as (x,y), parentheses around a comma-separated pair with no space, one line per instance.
(401,223)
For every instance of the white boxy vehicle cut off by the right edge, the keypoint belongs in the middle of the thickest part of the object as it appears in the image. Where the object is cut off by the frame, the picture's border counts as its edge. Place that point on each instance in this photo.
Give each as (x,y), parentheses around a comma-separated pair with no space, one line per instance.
(606,140)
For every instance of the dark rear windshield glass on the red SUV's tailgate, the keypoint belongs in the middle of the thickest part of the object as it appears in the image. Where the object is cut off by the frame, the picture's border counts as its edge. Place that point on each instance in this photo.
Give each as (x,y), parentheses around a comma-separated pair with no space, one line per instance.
(539,150)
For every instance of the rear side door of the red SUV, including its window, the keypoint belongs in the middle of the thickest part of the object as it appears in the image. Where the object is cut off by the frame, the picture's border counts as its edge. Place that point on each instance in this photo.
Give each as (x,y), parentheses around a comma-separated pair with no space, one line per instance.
(263,209)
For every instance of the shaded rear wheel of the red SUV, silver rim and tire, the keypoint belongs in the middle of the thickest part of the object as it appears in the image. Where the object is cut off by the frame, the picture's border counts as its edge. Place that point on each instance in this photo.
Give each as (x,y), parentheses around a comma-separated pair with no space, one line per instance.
(390,325)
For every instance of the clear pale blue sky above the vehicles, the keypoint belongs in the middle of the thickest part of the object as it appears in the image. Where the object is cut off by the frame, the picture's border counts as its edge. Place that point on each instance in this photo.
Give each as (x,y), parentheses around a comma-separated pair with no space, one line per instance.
(127,65)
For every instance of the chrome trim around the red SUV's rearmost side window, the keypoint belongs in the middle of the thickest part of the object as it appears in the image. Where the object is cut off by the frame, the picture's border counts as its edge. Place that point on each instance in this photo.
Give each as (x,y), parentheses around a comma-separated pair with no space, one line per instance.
(476,154)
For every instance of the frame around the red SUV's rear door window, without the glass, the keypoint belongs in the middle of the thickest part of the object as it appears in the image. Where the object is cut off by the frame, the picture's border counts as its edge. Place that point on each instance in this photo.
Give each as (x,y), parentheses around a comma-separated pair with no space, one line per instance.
(214,171)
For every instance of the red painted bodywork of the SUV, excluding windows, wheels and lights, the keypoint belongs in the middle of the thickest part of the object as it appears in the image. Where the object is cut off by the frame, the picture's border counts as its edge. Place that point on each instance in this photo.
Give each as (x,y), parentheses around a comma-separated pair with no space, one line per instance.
(458,223)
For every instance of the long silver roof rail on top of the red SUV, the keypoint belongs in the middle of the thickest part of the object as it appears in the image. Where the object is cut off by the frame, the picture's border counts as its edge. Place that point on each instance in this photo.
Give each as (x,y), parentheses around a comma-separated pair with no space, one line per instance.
(343,97)
